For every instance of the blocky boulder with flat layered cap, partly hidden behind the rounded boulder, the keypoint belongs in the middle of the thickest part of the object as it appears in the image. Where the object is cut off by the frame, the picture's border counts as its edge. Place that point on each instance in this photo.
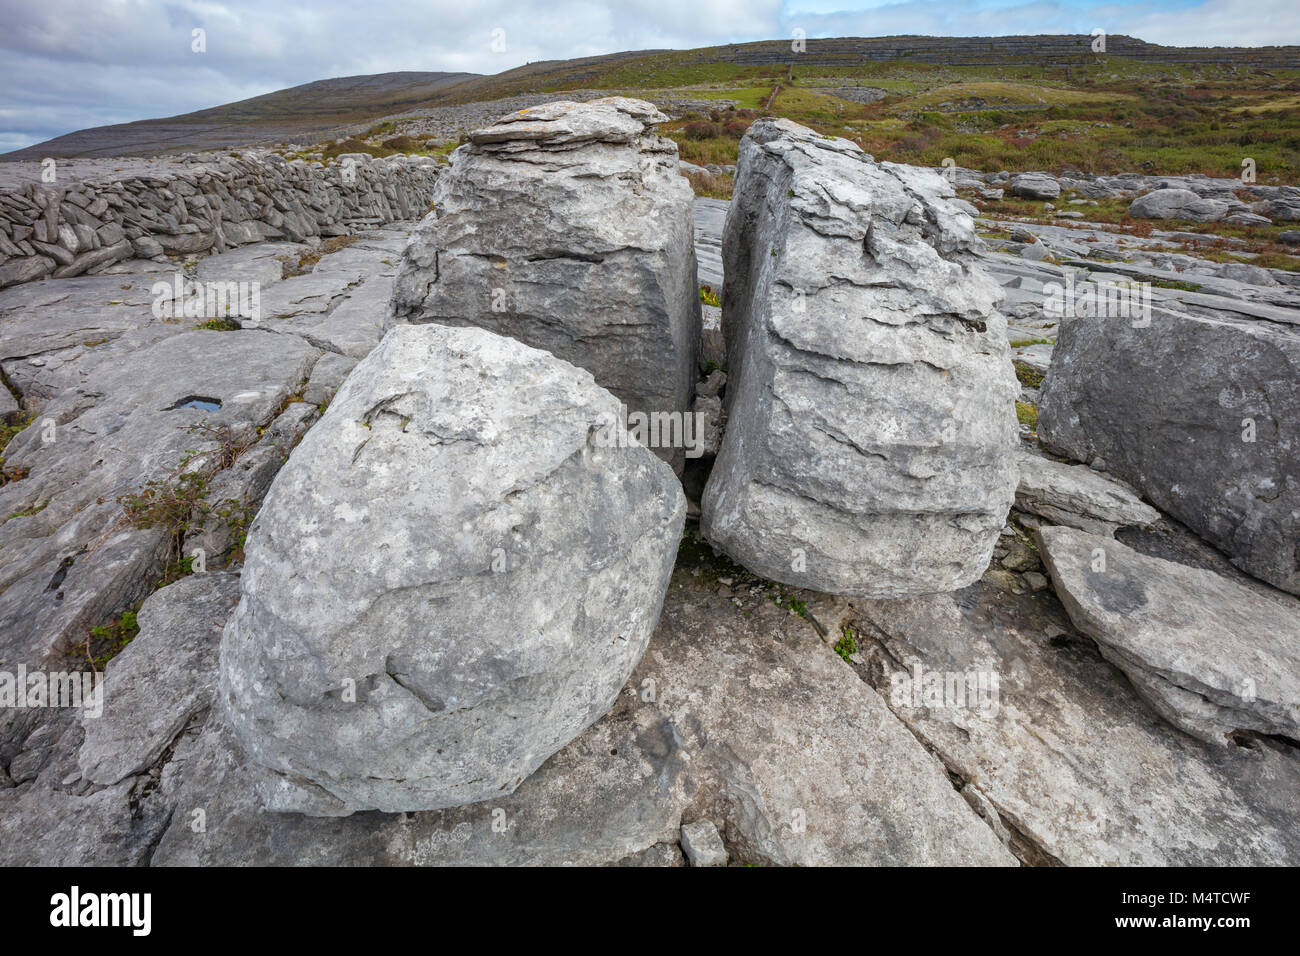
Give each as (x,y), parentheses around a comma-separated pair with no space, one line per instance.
(569,228)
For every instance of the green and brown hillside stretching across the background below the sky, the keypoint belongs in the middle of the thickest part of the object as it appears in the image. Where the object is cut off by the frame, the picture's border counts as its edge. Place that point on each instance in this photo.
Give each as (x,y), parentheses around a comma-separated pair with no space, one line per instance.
(746,72)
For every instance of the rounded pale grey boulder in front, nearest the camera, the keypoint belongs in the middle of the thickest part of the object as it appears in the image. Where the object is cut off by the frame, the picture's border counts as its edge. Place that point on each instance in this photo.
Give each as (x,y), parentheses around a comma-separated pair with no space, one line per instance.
(449,581)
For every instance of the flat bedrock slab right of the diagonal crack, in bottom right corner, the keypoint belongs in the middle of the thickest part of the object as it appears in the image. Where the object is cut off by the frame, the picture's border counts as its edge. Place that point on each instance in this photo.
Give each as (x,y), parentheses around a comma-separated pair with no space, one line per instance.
(1078,767)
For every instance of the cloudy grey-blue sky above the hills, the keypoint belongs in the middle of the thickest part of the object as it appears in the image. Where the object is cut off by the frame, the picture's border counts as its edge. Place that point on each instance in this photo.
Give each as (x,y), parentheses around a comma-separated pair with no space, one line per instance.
(71,64)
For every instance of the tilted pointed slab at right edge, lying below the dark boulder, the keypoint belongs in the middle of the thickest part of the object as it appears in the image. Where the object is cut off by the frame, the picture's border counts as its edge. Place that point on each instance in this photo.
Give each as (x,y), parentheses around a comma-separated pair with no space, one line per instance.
(1211,656)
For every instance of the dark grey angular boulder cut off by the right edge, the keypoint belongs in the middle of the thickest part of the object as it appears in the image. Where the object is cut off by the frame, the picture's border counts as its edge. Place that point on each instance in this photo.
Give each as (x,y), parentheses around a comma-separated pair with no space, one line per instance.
(1197,413)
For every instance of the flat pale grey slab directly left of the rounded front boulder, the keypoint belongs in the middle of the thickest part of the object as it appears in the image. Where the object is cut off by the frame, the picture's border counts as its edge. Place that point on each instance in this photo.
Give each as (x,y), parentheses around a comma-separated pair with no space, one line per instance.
(162,680)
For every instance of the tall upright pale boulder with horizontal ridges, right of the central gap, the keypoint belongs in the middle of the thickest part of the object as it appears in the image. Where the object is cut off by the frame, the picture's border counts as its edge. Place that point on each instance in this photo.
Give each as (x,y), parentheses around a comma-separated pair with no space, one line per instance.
(872,427)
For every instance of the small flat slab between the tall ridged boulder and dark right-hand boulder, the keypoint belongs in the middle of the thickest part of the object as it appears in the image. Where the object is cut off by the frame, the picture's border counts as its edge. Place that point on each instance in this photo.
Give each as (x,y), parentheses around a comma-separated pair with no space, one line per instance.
(1078,498)
